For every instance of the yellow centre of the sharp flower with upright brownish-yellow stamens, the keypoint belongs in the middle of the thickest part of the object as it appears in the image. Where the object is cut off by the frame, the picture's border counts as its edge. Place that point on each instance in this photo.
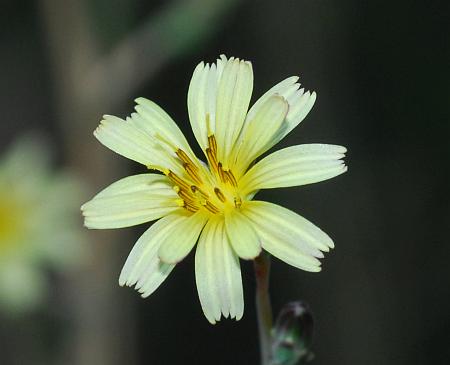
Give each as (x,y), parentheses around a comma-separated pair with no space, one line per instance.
(214,189)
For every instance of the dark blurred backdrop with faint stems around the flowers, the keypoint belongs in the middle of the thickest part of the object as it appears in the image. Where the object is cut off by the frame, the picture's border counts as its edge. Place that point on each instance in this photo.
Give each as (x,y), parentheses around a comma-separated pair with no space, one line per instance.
(381,70)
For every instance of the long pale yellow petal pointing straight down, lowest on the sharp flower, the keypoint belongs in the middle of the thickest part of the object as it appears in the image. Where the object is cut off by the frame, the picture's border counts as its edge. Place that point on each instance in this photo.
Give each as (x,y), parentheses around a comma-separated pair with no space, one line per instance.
(218,274)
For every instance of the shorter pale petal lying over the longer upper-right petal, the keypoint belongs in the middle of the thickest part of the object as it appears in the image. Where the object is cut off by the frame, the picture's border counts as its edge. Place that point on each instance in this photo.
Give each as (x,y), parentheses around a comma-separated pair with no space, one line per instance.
(259,130)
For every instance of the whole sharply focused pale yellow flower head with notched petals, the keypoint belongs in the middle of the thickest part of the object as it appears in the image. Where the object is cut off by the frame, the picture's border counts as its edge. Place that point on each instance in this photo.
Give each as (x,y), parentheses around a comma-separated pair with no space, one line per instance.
(212,202)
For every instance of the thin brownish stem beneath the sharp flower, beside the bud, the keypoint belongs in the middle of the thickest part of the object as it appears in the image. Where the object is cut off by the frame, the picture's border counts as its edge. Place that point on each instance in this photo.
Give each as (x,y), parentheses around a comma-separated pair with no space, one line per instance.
(263,307)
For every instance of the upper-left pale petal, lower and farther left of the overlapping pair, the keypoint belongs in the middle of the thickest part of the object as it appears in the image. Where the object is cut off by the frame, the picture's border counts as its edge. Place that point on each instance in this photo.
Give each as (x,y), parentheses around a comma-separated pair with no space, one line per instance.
(124,138)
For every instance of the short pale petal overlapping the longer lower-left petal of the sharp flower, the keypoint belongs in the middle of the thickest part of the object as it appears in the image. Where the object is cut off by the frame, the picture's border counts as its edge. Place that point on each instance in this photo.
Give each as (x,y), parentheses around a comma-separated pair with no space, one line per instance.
(177,245)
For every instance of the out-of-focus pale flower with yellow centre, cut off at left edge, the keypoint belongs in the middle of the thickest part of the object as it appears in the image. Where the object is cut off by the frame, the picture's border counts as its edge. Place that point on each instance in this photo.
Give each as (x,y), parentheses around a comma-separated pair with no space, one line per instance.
(38,224)
